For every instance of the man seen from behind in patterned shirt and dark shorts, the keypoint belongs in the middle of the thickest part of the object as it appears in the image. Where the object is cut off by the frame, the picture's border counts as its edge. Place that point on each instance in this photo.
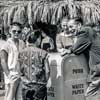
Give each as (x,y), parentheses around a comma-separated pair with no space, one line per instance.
(35,69)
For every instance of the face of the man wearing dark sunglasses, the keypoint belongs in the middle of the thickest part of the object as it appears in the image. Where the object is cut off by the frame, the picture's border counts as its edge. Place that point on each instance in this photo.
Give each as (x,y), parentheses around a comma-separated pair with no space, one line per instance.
(15,31)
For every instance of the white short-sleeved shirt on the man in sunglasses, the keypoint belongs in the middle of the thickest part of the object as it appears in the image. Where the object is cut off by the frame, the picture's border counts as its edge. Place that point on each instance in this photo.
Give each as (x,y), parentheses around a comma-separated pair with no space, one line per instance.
(13,52)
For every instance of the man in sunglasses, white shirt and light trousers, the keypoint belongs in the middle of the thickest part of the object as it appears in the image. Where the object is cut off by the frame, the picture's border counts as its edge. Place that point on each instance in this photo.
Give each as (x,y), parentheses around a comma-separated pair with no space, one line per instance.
(9,61)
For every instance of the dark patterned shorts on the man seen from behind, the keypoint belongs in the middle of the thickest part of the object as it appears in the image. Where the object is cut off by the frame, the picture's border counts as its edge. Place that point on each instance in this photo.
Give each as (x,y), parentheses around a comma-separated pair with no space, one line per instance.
(34,91)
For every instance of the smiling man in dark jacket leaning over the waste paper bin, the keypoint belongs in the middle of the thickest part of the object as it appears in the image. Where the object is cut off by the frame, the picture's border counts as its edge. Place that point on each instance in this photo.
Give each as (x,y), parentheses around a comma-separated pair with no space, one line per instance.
(88,42)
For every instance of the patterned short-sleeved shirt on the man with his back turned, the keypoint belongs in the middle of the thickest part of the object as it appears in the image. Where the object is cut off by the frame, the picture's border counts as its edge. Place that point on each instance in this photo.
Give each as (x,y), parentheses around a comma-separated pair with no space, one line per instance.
(32,64)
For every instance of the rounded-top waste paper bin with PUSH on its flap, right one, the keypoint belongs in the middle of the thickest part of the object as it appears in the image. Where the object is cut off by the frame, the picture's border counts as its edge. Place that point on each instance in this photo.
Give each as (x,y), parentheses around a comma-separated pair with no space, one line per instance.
(75,73)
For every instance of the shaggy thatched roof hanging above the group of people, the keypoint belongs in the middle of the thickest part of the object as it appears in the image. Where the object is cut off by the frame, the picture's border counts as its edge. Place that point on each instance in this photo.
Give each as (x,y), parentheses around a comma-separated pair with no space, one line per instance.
(49,12)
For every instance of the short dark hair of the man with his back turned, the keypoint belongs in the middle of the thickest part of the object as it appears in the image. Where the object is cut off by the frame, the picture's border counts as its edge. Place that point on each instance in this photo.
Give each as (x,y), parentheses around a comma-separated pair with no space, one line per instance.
(33,36)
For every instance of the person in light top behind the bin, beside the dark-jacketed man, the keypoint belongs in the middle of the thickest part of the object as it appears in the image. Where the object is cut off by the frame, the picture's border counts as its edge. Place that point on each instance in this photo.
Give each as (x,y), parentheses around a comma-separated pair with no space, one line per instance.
(64,40)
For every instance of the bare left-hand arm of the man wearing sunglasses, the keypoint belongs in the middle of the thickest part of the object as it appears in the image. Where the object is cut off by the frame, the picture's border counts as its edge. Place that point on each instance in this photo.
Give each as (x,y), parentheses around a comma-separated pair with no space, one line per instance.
(4,61)
